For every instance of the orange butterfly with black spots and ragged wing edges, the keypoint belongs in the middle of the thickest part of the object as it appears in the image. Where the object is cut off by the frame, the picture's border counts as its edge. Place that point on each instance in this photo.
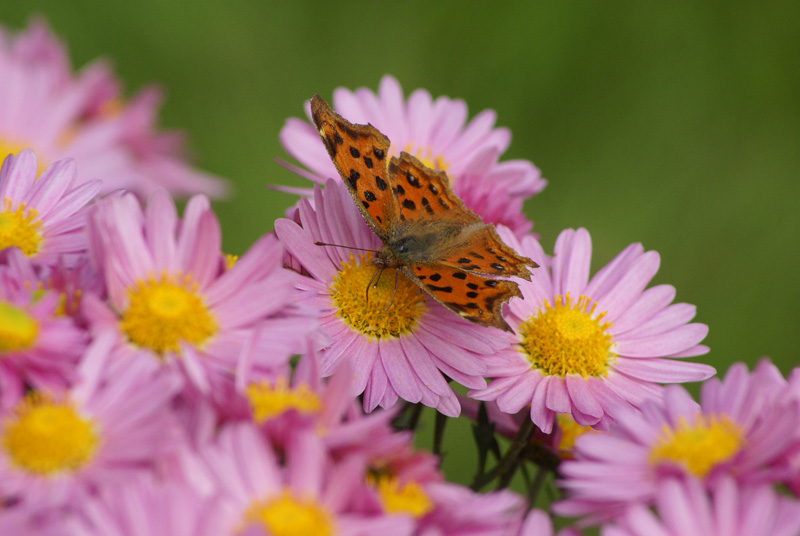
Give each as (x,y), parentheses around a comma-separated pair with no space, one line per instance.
(427,232)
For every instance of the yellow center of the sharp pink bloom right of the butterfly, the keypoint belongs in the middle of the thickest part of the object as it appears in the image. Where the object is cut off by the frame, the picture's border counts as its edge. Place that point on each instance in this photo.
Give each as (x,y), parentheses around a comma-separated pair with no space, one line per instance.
(567,338)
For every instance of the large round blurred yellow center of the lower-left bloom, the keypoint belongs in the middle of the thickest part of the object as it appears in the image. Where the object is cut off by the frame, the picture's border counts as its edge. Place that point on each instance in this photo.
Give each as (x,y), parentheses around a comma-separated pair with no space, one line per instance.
(46,437)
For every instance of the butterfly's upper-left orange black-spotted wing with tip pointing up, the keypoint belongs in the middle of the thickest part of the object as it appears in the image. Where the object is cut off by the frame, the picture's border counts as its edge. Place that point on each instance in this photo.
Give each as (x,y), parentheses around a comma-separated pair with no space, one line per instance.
(359,153)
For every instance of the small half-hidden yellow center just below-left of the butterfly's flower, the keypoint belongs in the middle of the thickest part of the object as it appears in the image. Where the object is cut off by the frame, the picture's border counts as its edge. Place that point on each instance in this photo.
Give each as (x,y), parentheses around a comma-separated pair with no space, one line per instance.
(268,401)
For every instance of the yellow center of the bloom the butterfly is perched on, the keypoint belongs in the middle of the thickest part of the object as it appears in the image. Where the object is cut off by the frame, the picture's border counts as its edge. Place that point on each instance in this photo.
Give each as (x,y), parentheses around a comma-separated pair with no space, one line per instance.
(367,313)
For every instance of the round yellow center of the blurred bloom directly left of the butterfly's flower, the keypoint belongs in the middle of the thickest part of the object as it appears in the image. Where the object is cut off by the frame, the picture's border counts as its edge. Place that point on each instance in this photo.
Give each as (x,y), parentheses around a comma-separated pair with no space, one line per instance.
(162,312)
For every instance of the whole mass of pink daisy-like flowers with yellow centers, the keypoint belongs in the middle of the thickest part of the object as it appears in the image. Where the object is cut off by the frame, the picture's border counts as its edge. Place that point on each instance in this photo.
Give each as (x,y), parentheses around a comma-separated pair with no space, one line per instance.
(152,384)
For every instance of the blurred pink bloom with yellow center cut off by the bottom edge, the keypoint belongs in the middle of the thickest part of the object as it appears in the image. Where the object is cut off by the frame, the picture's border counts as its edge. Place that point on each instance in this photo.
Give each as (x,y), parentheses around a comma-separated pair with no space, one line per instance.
(307,494)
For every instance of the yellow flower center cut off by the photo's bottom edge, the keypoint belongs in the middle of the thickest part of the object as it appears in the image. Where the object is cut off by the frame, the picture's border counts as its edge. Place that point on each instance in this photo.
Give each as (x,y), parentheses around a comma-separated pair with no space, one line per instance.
(285,515)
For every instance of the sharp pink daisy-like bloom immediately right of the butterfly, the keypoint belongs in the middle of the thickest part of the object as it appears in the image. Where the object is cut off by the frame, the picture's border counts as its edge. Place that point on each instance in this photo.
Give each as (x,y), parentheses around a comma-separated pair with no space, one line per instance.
(594,347)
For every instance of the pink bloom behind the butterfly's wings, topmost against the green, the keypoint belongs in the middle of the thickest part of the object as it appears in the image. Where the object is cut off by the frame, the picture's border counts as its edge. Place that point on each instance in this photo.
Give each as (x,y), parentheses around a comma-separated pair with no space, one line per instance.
(436,132)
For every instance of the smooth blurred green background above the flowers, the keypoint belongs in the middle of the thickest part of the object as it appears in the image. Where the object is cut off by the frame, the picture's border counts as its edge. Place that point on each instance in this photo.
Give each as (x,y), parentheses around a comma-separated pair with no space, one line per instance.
(674,124)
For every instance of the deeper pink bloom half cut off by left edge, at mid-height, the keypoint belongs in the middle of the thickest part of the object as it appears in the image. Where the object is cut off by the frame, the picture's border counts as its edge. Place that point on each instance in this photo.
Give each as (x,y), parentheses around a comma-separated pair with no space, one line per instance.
(39,346)
